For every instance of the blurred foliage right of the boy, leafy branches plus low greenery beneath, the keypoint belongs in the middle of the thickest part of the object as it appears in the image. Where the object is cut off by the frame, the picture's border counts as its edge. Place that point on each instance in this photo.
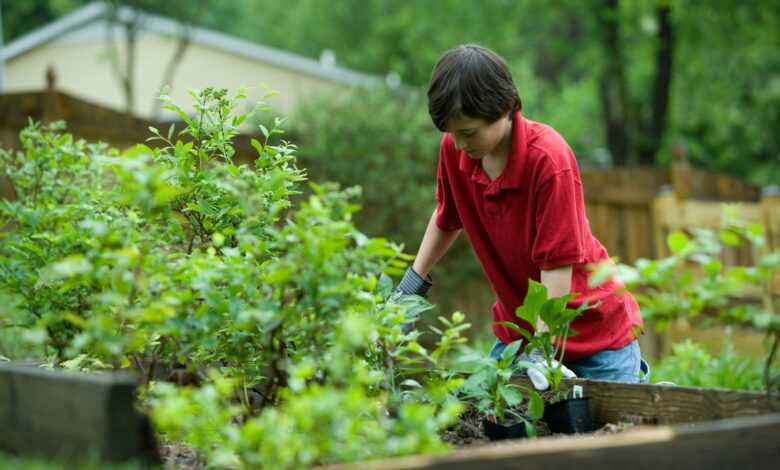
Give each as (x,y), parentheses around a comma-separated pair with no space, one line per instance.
(695,284)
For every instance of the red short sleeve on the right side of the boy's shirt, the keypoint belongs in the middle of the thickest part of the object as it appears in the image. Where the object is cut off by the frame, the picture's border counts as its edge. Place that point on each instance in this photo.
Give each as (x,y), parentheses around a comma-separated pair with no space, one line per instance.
(560,222)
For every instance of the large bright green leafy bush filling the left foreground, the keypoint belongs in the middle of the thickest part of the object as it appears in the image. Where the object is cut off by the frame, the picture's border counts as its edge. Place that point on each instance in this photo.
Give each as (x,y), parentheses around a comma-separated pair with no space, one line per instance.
(173,257)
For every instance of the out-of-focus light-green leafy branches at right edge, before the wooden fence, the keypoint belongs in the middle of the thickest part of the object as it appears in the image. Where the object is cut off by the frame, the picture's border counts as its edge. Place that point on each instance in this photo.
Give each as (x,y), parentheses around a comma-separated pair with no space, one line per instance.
(694,283)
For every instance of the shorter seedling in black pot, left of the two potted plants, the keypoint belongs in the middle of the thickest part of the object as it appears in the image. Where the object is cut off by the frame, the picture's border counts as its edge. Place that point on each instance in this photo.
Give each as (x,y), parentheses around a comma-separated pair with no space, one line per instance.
(490,391)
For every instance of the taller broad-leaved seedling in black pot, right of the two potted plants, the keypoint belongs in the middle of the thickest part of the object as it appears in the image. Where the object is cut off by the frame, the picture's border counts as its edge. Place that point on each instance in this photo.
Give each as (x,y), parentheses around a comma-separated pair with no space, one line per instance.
(564,414)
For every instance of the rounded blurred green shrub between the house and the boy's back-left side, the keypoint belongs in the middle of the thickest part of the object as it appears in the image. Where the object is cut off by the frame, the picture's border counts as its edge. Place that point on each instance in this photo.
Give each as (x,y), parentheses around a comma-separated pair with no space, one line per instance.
(384,142)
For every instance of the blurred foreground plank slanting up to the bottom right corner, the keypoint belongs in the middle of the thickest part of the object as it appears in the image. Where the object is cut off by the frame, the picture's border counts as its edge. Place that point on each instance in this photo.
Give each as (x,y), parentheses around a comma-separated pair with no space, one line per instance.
(737,443)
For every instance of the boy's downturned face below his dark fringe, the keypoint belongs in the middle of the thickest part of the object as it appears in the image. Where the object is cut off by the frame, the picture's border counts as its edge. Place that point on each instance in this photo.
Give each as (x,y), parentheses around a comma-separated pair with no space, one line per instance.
(478,138)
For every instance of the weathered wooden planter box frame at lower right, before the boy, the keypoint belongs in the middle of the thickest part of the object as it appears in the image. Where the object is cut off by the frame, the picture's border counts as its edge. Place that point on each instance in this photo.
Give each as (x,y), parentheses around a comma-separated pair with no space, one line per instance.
(695,428)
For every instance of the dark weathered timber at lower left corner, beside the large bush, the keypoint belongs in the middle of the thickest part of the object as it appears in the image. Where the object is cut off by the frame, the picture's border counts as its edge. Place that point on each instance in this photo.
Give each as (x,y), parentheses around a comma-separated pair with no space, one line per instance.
(72,415)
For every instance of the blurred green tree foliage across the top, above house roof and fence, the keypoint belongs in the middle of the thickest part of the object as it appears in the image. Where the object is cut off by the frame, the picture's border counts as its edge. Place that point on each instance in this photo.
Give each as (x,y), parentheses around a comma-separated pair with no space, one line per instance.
(724,85)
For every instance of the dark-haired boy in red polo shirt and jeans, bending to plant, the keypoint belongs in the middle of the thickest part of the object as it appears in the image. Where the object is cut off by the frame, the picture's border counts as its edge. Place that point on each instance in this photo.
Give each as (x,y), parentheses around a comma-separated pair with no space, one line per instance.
(514,186)
